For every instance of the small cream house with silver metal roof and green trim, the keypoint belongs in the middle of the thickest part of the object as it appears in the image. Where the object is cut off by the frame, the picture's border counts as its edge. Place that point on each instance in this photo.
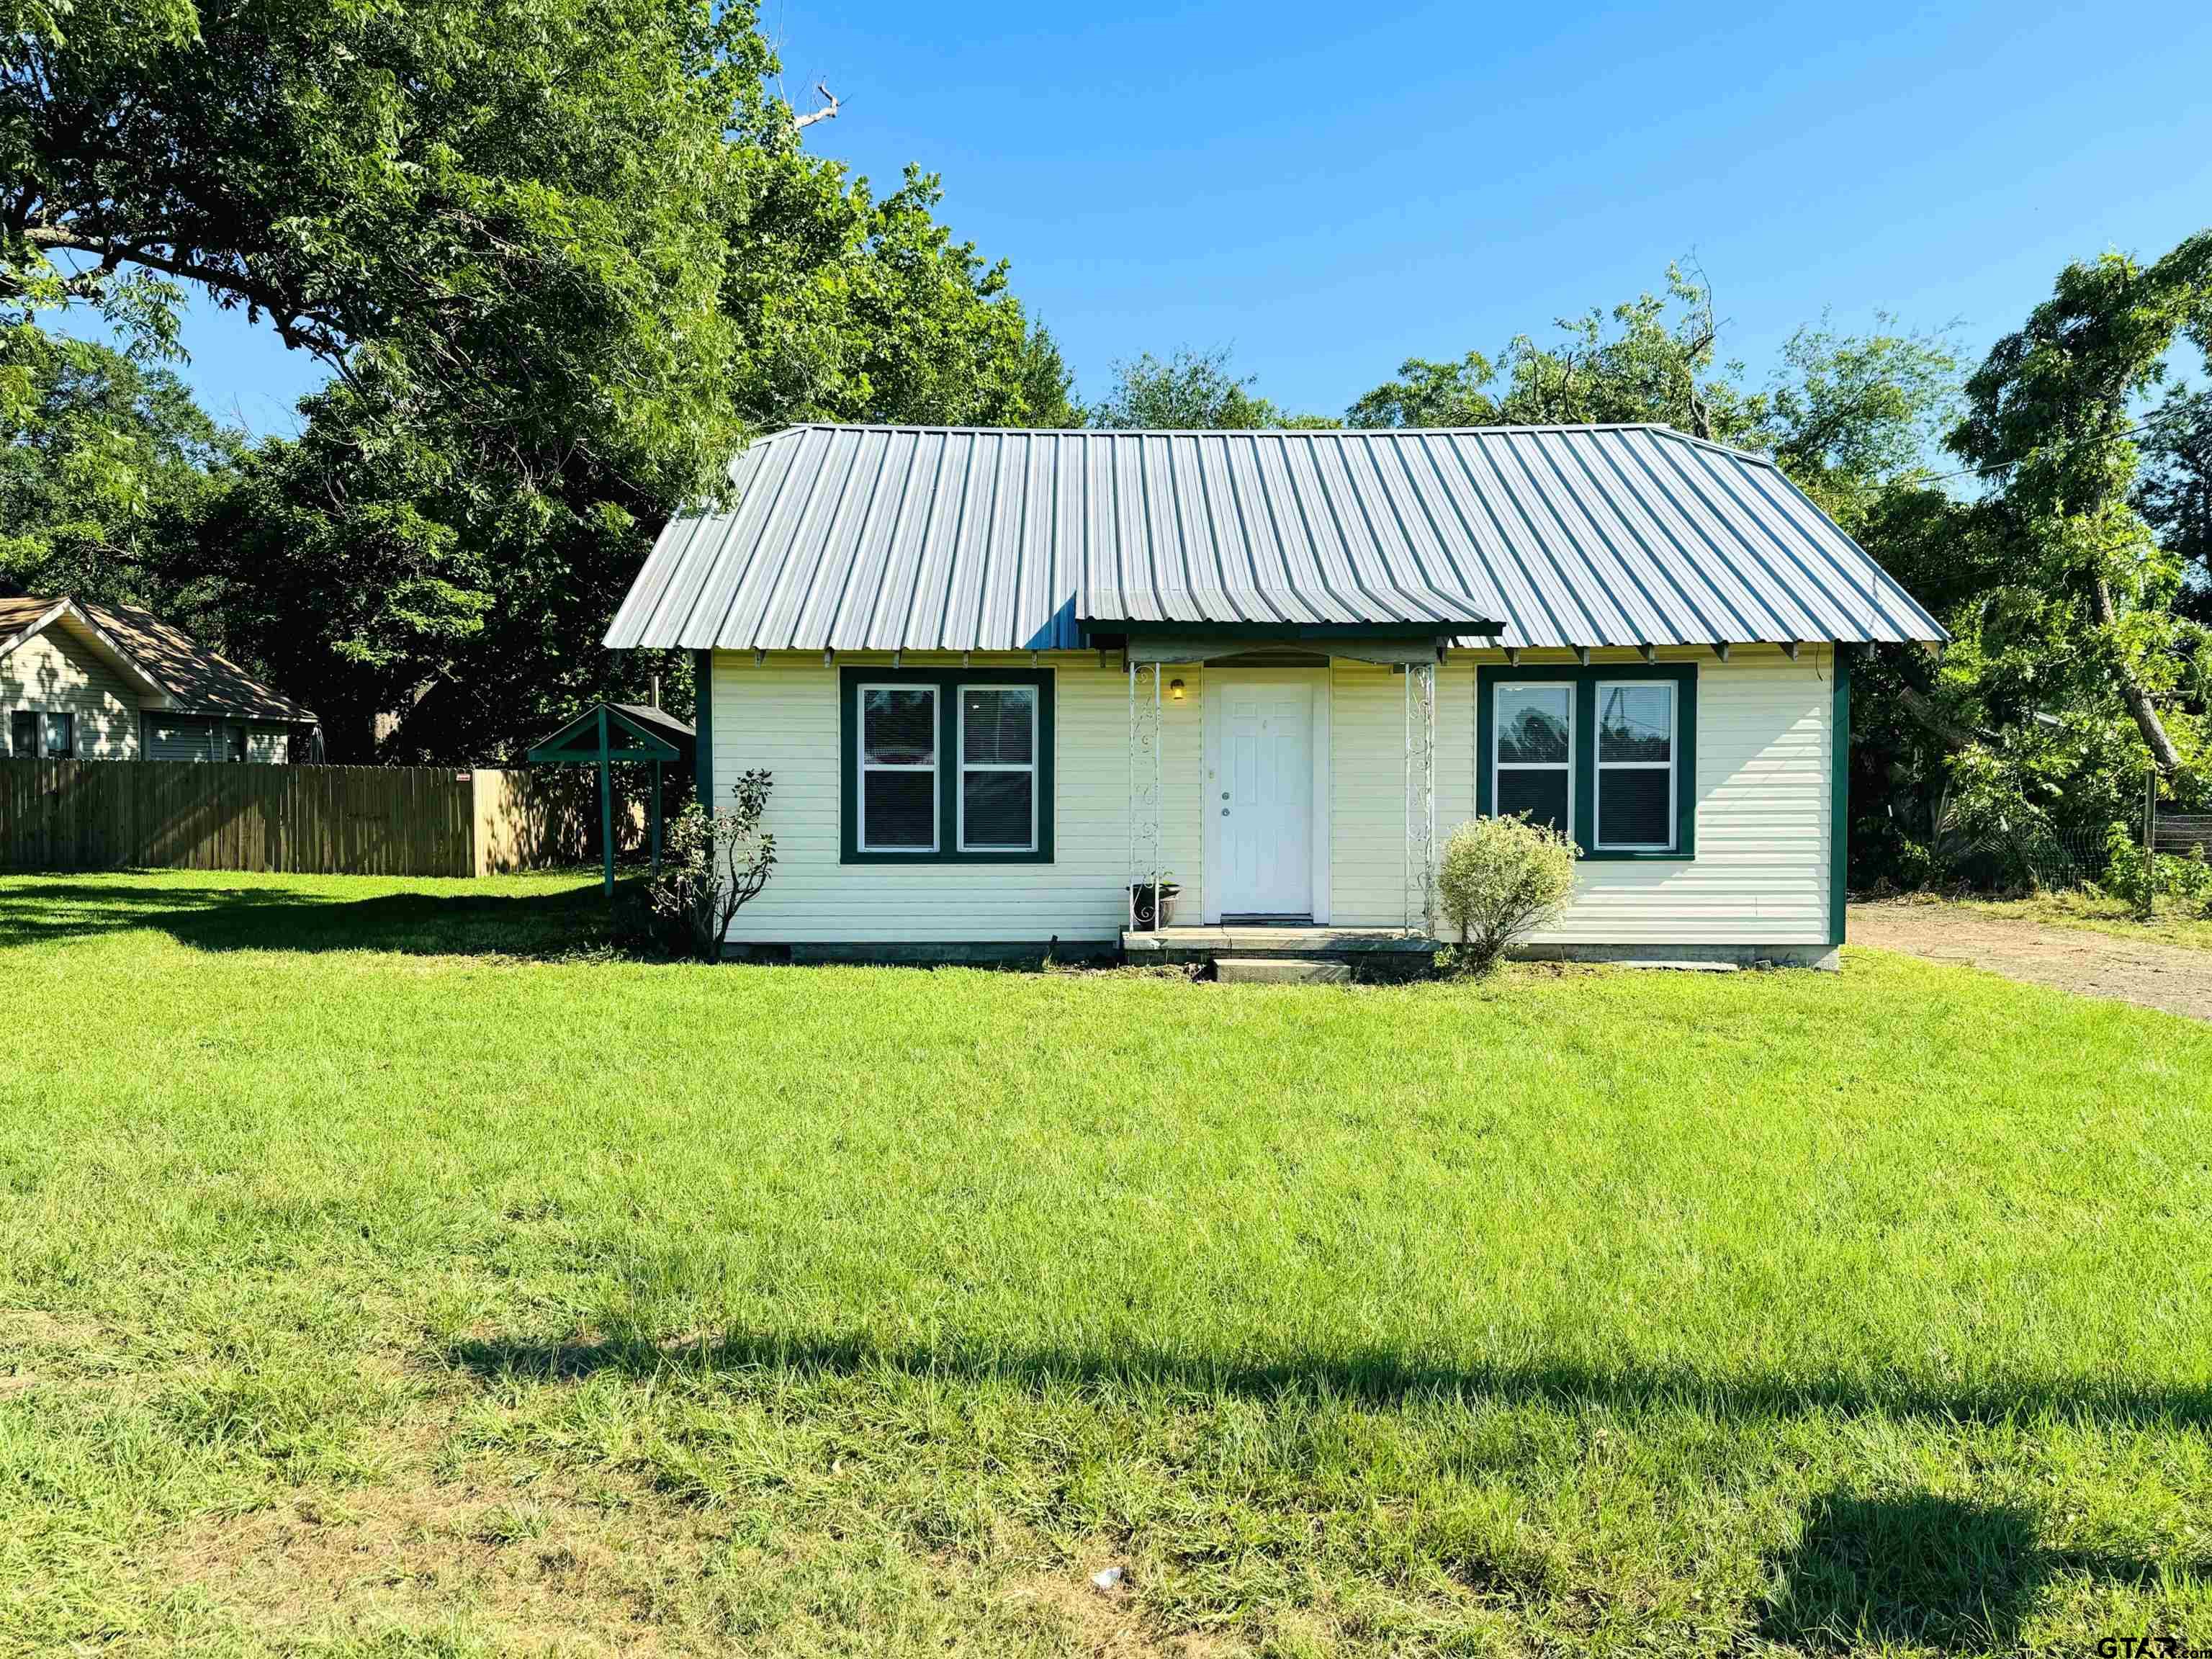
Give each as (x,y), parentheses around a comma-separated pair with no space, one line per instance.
(1003,676)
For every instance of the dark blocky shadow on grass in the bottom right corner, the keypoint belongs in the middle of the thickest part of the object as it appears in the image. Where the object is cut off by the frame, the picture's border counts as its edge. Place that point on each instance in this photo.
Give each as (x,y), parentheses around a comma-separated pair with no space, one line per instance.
(1923,1572)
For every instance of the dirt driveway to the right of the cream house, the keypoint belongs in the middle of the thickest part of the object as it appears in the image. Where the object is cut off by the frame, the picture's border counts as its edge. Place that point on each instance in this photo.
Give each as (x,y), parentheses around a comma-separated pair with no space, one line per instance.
(2103,966)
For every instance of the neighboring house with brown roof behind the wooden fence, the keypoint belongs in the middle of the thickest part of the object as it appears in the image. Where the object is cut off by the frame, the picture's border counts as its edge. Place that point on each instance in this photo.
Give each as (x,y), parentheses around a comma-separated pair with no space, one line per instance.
(98,682)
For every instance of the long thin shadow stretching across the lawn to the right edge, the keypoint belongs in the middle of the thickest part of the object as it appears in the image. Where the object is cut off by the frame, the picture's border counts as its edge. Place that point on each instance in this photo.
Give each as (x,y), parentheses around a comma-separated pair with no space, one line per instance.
(1373,1377)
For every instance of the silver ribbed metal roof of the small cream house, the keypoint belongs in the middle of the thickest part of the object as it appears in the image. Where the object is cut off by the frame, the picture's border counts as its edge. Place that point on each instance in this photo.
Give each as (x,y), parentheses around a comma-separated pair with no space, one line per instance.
(935,539)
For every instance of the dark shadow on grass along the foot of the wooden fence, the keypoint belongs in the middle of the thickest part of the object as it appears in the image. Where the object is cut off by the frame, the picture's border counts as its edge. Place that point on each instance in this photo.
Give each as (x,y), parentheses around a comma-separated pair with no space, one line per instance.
(534,924)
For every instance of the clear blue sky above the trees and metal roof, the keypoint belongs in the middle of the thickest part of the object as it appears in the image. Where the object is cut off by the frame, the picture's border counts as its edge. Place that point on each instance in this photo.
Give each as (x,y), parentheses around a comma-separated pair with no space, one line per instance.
(1333,189)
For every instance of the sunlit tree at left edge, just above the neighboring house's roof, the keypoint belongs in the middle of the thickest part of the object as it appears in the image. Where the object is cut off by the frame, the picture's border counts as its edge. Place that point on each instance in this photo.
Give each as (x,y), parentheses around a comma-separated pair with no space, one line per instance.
(103,463)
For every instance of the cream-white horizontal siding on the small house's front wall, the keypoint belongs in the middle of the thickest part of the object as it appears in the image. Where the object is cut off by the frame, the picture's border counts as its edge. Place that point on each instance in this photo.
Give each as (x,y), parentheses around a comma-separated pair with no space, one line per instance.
(1762,811)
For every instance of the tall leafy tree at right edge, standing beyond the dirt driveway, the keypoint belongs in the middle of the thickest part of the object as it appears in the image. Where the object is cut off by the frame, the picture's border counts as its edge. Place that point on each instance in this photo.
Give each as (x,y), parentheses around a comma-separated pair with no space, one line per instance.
(2049,421)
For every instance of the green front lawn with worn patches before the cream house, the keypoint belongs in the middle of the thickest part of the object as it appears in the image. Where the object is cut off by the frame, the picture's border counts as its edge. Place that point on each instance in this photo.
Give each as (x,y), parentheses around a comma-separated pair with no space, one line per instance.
(388,1271)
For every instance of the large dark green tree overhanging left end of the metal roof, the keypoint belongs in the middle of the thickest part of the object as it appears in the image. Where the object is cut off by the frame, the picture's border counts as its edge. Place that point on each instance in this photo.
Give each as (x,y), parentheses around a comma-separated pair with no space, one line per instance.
(497,220)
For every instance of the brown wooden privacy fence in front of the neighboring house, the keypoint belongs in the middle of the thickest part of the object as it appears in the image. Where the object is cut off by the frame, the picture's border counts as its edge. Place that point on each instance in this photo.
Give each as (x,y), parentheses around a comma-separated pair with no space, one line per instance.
(302,820)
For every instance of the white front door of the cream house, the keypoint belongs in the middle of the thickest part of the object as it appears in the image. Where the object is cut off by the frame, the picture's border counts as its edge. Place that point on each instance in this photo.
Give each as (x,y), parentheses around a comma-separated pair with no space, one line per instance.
(1262,802)
